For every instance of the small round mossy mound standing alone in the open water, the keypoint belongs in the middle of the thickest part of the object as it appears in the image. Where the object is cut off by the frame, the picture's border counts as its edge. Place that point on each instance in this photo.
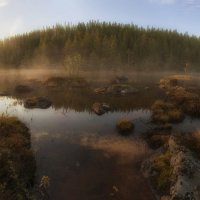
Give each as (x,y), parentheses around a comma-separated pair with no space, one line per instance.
(125,126)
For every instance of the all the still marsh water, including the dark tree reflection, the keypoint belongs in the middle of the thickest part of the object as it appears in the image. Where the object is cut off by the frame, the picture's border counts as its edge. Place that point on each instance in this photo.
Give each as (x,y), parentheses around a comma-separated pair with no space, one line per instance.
(82,153)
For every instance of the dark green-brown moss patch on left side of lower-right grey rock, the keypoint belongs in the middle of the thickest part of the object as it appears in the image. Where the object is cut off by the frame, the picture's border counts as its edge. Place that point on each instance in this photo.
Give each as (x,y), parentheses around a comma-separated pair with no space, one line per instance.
(163,170)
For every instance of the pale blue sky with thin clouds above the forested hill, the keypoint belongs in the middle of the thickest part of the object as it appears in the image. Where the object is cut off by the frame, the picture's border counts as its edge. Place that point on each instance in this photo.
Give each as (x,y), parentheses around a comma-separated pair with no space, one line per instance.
(19,16)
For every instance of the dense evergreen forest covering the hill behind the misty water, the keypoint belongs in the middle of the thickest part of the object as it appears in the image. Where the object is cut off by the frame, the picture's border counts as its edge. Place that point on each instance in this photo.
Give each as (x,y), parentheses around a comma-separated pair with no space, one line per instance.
(97,45)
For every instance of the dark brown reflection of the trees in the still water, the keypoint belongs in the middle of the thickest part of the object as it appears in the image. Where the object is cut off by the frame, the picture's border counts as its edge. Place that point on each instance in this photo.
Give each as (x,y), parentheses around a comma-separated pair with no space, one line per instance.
(82,100)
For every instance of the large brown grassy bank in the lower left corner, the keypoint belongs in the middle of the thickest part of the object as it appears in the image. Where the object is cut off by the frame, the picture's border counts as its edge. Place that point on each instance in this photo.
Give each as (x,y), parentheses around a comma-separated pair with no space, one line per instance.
(17,163)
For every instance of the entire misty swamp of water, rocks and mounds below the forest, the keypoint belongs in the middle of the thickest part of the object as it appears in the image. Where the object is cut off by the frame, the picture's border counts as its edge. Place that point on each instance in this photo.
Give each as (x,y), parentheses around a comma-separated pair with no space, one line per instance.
(82,143)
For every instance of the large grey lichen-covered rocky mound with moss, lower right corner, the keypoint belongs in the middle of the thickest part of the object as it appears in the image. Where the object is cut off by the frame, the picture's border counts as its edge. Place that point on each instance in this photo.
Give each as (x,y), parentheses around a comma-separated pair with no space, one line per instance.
(173,171)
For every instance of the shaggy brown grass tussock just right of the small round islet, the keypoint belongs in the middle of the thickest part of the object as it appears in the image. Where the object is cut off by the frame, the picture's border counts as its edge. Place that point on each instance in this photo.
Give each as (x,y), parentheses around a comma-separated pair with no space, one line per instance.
(164,112)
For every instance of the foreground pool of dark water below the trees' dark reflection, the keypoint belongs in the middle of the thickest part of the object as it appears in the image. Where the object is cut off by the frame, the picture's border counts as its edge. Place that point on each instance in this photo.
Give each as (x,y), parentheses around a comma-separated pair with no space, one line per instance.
(83,154)
